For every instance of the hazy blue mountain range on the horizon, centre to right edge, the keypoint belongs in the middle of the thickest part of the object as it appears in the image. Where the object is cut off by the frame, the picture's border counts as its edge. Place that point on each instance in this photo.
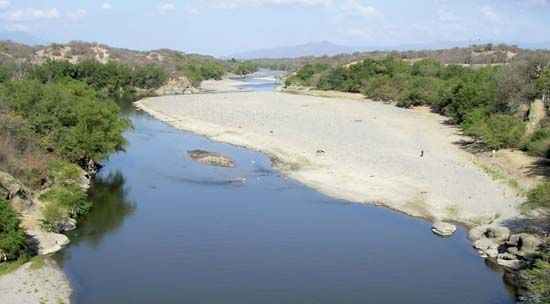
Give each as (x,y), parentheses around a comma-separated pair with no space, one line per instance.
(330,49)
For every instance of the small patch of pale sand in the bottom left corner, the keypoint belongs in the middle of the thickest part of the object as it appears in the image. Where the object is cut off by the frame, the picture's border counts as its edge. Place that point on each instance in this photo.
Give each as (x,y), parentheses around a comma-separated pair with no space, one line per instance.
(47,284)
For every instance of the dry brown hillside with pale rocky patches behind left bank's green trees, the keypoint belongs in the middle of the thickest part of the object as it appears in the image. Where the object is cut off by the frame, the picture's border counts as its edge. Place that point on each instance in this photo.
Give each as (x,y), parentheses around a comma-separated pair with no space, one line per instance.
(185,71)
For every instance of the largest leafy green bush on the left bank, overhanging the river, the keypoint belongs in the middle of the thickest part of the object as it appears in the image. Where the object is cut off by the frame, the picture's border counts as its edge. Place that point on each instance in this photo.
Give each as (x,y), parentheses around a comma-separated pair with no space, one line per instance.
(68,118)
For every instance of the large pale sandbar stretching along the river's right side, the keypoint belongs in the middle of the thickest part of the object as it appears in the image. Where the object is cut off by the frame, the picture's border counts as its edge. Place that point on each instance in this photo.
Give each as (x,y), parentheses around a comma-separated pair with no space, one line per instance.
(371,150)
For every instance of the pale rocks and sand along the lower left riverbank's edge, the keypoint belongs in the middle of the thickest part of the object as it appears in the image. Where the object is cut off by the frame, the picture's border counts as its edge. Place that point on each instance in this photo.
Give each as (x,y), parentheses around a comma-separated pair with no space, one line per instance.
(29,284)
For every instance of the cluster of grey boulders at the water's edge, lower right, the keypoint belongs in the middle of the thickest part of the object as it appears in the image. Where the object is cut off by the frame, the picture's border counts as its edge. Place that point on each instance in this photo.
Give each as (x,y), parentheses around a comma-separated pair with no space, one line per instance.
(509,250)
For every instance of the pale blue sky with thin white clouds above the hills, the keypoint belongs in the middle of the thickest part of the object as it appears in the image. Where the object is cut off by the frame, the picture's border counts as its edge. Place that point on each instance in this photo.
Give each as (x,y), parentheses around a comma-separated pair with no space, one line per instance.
(222,27)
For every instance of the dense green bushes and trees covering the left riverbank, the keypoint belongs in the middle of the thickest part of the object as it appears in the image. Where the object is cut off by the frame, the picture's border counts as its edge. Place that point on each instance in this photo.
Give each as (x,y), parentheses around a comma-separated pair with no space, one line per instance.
(55,121)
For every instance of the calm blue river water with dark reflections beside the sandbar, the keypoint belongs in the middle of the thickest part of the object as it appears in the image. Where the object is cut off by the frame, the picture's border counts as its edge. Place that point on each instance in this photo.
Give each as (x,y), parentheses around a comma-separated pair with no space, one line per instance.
(164,229)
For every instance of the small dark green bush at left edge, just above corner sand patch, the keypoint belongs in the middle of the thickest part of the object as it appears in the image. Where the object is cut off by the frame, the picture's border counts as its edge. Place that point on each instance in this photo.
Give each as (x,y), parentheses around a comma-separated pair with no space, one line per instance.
(12,238)
